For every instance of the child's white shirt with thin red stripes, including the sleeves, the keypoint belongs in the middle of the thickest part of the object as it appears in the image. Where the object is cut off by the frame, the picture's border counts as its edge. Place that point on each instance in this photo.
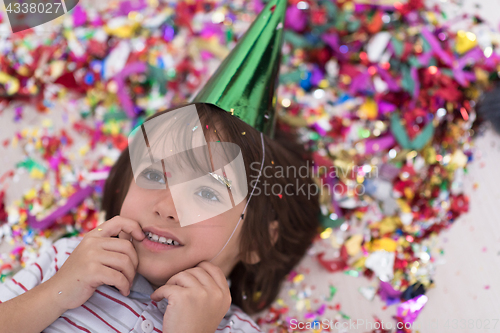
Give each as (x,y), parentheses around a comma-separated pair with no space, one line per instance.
(107,310)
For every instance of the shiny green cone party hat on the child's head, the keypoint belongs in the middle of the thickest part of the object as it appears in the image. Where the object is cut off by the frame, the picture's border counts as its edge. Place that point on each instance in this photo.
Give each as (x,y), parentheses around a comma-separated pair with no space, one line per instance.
(245,82)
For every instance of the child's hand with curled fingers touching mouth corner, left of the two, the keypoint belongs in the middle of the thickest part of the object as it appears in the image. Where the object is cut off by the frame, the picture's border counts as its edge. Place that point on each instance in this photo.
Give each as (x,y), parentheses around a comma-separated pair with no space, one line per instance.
(87,267)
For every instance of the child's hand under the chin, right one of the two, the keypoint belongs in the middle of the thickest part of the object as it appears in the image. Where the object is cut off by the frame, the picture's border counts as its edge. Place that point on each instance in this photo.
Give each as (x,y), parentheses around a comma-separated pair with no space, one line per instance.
(198,298)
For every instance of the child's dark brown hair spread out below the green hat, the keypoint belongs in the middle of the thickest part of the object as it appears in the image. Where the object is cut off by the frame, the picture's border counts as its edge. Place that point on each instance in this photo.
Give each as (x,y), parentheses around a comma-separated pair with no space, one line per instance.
(253,286)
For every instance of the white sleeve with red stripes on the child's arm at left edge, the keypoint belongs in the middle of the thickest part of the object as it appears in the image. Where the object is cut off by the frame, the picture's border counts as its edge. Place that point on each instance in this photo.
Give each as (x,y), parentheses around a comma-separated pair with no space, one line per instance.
(43,268)
